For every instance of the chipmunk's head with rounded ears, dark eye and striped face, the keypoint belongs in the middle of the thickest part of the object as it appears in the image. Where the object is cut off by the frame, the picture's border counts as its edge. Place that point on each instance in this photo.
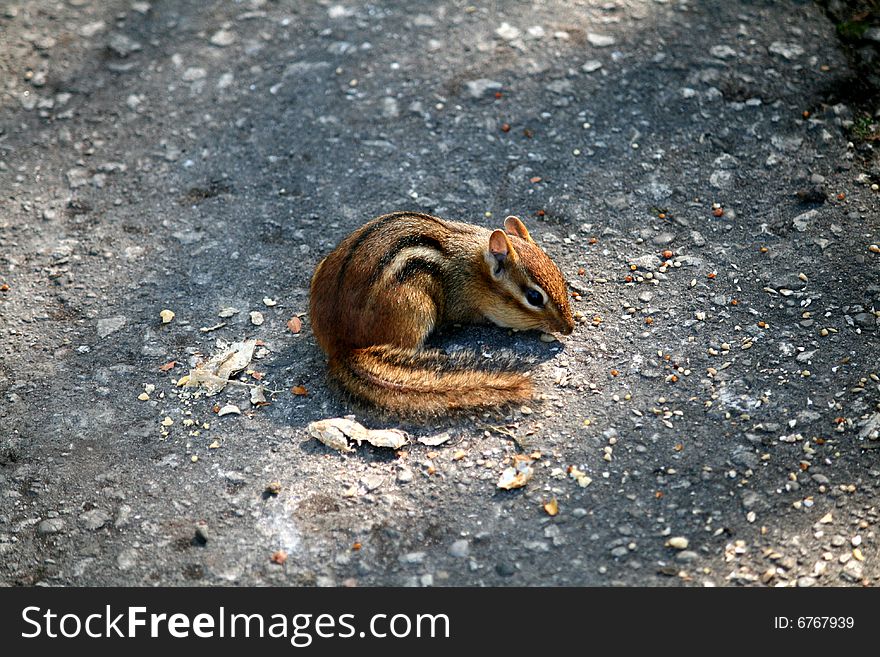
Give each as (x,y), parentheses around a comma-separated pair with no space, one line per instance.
(529,291)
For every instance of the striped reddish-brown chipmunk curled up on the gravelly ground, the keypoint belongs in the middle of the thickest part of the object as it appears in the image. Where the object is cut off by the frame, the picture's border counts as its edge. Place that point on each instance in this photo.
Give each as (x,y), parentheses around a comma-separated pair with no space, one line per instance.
(386,287)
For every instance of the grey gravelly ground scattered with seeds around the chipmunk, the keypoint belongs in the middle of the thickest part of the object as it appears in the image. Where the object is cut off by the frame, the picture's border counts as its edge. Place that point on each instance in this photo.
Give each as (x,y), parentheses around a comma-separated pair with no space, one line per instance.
(702,172)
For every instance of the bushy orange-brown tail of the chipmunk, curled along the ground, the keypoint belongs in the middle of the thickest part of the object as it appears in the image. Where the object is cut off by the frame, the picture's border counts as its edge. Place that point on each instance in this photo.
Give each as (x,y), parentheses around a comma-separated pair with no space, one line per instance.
(428,381)
